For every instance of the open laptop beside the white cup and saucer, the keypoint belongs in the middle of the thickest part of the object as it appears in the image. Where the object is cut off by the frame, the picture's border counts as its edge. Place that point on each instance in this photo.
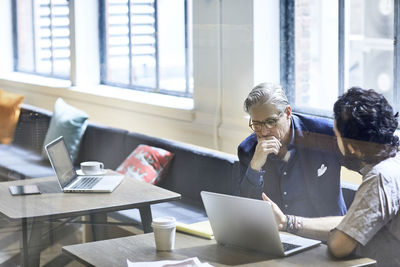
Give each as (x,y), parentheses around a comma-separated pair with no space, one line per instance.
(67,177)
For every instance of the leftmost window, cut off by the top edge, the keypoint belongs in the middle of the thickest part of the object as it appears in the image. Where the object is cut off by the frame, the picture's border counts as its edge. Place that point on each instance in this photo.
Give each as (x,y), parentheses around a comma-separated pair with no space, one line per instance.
(41,37)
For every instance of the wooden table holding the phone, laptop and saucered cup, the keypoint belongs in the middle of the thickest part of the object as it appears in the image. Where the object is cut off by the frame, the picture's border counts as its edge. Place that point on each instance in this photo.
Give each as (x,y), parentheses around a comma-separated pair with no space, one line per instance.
(54,204)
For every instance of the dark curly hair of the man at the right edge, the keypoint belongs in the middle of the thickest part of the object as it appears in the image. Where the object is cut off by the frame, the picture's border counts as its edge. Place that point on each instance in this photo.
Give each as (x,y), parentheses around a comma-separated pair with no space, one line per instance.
(365,119)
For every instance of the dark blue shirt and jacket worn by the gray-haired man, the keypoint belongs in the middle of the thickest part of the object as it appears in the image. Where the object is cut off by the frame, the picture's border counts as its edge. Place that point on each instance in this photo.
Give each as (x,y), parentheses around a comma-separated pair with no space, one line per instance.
(308,184)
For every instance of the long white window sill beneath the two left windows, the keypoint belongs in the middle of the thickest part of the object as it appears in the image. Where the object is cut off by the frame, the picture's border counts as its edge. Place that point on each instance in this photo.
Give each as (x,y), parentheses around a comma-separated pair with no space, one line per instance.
(115,97)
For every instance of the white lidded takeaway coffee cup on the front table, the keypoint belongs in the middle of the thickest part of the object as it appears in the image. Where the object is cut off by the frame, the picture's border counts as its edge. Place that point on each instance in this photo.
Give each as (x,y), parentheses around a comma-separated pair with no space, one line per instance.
(164,233)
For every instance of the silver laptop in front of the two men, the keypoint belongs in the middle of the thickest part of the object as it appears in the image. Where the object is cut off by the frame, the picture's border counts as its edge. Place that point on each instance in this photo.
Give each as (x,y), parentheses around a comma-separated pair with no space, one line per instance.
(250,224)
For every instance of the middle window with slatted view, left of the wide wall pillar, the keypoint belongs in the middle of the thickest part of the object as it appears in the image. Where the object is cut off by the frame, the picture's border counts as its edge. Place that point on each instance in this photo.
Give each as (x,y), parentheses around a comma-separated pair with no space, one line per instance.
(146,45)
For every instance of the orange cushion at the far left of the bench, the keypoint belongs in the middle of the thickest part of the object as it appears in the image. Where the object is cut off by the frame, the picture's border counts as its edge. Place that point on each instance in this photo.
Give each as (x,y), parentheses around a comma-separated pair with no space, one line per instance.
(9,114)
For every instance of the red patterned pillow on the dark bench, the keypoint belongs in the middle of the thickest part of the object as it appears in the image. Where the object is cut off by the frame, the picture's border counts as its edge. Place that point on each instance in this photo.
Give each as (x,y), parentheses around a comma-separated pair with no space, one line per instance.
(146,163)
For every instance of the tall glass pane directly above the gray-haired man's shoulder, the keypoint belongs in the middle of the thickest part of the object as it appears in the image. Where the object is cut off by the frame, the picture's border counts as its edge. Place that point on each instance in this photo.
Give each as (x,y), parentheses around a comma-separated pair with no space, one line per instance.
(316,54)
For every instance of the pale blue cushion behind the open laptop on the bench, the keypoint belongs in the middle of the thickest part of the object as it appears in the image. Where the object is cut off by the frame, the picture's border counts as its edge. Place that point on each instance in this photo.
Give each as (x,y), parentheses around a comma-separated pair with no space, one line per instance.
(69,122)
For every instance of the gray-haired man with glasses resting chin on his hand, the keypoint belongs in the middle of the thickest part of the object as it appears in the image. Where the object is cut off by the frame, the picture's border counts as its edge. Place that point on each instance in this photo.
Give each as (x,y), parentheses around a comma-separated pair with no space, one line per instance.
(293,158)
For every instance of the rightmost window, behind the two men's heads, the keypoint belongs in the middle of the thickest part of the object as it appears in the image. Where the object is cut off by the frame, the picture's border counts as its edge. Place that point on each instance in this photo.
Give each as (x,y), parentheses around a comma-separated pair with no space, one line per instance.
(331,46)
